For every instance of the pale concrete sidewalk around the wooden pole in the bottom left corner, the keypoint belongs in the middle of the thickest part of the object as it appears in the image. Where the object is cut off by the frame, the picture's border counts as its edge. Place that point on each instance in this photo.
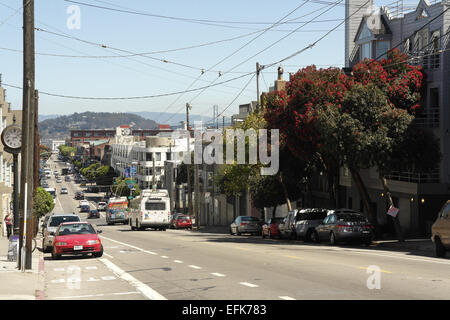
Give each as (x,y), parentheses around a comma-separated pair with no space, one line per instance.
(17,285)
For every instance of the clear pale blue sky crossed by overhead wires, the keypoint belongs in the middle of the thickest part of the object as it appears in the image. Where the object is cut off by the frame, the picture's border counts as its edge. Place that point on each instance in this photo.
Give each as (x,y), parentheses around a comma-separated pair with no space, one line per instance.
(162,26)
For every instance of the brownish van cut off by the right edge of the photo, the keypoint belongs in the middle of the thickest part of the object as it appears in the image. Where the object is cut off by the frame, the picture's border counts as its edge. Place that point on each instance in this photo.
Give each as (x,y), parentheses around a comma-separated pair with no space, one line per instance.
(440,231)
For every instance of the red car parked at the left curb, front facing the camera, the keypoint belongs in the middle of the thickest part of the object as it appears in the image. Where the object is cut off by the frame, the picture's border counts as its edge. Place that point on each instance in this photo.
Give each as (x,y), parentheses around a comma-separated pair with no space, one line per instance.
(76,238)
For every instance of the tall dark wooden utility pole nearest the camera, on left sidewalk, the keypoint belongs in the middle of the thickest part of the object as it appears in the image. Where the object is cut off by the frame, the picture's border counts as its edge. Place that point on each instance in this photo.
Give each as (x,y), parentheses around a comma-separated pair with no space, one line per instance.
(27,155)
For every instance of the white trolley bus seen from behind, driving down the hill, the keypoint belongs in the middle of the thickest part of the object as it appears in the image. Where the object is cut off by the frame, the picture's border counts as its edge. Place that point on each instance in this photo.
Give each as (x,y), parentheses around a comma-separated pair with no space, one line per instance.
(150,210)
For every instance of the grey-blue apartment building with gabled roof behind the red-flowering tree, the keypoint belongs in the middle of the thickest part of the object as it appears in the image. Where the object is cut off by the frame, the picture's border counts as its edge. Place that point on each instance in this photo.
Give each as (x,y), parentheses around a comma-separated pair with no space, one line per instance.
(421,33)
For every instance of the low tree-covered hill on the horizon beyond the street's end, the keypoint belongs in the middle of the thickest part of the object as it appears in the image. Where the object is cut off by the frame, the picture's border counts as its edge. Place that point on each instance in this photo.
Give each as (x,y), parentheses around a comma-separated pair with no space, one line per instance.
(59,127)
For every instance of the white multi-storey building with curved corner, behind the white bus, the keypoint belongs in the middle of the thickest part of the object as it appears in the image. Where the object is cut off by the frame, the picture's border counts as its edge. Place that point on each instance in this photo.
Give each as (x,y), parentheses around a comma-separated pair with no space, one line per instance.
(144,160)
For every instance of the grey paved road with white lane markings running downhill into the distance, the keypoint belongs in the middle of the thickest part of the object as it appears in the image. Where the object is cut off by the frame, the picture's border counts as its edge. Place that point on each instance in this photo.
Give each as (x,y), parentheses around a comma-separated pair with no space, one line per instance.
(179,264)
